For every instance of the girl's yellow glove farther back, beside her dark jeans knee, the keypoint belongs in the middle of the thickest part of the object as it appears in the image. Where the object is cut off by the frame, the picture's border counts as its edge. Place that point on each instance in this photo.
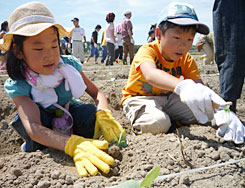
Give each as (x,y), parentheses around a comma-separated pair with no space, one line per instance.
(110,128)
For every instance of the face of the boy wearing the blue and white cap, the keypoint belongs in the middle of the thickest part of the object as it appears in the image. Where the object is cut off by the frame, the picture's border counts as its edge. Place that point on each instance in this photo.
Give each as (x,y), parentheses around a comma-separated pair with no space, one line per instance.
(175,42)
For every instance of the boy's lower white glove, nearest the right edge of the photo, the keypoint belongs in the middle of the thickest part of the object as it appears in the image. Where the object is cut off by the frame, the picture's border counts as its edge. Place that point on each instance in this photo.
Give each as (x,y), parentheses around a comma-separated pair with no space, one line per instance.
(232,130)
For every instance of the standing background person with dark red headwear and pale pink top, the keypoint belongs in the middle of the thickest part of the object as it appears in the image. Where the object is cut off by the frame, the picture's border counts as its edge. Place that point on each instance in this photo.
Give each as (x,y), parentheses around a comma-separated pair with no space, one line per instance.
(110,38)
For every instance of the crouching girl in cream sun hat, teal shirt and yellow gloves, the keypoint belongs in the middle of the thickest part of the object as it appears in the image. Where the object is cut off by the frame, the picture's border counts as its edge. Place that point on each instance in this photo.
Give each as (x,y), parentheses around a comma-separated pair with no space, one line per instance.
(43,84)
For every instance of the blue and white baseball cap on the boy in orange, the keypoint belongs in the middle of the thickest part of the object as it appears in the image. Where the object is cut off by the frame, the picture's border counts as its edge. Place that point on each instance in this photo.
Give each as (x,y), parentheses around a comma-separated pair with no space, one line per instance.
(183,14)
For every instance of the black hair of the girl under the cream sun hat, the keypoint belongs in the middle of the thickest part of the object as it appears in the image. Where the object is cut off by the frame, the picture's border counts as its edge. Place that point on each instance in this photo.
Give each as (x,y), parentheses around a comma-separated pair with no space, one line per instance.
(15,66)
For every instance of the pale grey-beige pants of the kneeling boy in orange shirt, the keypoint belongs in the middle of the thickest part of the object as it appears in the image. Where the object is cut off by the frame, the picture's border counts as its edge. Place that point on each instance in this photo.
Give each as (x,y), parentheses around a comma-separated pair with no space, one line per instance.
(153,114)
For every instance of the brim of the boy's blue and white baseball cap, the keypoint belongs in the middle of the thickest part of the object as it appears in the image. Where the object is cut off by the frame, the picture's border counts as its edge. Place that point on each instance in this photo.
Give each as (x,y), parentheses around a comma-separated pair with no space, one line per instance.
(201,28)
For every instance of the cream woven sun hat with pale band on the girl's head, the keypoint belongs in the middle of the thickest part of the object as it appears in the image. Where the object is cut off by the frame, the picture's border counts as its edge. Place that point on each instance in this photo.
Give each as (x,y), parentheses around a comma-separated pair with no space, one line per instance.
(30,19)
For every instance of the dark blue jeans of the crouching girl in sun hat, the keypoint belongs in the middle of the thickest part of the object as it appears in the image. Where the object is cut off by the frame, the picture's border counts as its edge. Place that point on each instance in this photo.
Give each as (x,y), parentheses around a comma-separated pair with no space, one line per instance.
(84,117)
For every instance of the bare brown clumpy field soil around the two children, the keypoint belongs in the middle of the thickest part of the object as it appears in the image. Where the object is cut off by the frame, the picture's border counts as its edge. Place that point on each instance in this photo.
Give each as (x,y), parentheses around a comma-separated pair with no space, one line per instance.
(52,168)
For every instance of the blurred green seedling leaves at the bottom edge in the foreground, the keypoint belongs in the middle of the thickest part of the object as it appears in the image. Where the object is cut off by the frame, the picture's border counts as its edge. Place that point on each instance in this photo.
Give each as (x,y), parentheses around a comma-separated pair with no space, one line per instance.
(147,181)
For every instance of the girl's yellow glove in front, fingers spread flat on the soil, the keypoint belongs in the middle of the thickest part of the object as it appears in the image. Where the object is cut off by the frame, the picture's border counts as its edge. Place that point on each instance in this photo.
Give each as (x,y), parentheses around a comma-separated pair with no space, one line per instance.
(87,155)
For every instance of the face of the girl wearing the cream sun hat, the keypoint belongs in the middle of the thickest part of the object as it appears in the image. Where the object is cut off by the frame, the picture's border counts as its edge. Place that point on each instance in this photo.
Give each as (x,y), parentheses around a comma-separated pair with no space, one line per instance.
(41,52)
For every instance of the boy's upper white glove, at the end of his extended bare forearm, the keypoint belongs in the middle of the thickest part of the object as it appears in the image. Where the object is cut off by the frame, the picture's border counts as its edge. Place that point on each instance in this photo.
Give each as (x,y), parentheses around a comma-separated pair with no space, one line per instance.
(199,99)
